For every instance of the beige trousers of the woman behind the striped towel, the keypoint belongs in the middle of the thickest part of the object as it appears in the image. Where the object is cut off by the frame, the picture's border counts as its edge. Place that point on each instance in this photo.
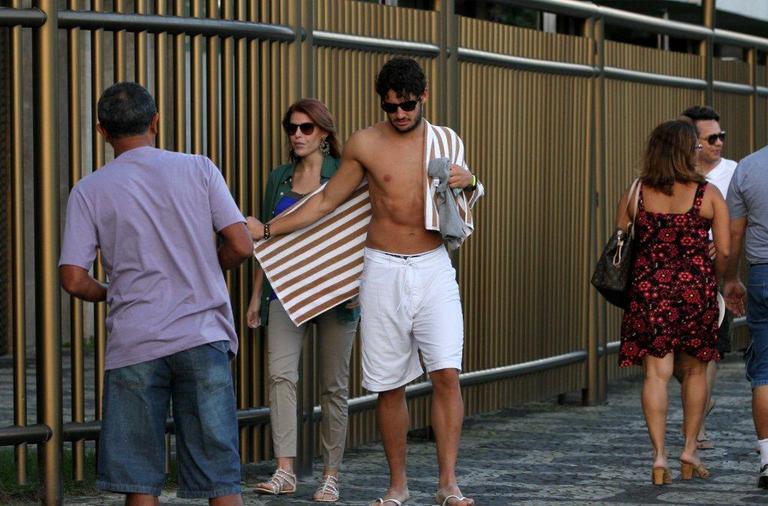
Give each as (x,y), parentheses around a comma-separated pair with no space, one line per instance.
(334,345)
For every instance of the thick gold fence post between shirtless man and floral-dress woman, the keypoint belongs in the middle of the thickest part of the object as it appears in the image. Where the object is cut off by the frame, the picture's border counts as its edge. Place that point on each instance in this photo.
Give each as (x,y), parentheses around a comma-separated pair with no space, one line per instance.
(596,362)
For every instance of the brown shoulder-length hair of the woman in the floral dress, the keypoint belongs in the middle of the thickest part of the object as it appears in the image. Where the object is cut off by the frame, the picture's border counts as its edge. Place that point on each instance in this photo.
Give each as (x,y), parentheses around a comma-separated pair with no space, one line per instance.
(670,156)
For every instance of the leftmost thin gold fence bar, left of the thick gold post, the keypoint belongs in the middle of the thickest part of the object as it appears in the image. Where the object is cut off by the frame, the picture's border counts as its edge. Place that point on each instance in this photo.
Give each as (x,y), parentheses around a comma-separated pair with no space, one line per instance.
(17,220)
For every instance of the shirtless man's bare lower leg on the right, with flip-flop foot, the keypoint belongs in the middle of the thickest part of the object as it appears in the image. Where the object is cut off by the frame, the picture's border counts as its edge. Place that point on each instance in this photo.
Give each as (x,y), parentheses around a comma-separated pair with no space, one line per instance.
(447,418)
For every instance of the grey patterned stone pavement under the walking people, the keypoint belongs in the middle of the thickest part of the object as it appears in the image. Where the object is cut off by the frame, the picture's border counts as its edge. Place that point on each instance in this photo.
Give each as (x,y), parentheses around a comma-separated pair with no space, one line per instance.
(546,453)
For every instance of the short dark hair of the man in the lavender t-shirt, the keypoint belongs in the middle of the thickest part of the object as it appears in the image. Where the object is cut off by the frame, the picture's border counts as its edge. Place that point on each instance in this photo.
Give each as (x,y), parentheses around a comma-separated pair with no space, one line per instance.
(126,109)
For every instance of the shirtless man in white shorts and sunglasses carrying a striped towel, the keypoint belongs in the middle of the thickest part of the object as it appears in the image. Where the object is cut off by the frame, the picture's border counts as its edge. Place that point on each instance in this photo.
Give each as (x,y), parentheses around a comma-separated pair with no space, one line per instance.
(408,295)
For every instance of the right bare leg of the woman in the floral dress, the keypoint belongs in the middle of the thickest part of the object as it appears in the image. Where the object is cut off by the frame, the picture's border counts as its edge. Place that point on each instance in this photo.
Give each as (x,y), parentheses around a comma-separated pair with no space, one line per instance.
(695,394)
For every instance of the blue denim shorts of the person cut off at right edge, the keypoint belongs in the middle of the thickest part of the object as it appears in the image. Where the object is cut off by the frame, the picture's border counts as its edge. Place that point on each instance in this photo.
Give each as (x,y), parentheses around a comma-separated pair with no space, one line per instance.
(757,320)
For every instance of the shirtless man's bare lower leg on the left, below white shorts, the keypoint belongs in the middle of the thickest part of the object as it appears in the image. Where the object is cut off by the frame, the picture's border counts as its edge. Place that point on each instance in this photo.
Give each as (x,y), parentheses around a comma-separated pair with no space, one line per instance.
(392,418)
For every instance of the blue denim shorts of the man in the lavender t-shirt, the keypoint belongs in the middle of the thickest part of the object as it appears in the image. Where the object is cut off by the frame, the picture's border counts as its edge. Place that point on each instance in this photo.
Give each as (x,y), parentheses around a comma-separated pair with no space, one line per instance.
(198,381)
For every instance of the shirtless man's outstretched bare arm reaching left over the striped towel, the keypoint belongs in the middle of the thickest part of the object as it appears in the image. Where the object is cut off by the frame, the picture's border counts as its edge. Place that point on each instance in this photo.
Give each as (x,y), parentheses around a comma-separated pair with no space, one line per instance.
(339,187)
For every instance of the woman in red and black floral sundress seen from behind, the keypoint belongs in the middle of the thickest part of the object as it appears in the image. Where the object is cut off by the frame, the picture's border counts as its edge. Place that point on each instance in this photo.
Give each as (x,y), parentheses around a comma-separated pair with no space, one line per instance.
(673,311)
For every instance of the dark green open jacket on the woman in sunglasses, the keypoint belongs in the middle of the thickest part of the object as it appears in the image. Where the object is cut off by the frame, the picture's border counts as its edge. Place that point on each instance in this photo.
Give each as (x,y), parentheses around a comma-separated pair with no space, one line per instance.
(279,183)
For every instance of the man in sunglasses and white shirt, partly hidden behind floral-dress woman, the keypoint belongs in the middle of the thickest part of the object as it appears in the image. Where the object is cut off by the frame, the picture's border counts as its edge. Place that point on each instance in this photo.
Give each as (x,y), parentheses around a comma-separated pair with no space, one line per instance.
(718,171)
